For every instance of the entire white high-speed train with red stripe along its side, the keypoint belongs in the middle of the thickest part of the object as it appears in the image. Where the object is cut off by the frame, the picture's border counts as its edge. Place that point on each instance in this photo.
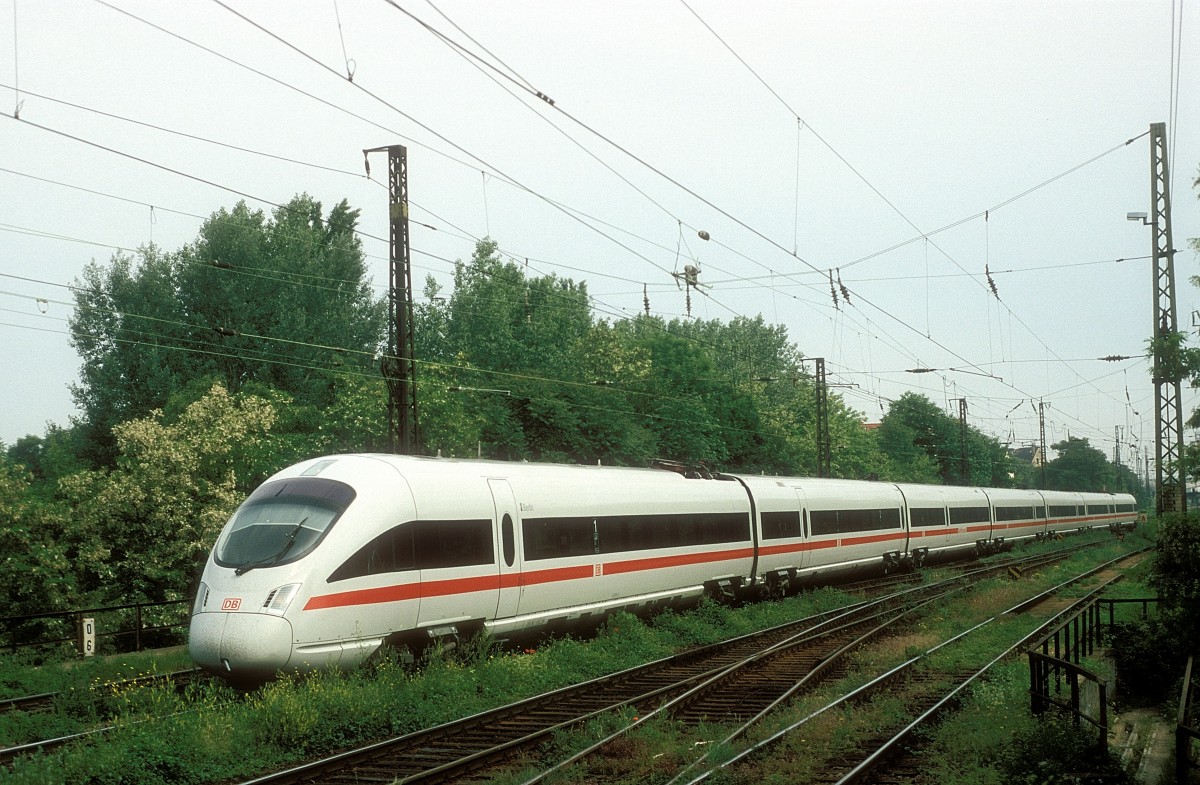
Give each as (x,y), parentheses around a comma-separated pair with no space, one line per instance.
(334,558)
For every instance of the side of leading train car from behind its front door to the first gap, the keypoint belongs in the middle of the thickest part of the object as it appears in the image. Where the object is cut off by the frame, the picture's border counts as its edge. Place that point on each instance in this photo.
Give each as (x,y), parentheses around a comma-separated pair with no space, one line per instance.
(597,541)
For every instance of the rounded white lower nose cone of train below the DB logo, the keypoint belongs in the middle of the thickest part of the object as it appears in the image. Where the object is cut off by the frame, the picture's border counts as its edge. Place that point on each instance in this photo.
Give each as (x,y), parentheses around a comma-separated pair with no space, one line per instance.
(241,648)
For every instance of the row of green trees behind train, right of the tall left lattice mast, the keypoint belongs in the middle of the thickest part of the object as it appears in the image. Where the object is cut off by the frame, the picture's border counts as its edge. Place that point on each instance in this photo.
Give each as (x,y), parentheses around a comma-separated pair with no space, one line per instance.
(518,368)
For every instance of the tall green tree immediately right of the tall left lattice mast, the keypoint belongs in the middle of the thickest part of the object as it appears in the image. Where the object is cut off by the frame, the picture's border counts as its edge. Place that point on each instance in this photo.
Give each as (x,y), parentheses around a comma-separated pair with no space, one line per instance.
(518,368)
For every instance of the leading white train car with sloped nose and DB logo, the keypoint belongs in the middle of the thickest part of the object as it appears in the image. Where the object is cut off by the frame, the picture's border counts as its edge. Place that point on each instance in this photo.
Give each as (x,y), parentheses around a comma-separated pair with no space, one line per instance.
(333,558)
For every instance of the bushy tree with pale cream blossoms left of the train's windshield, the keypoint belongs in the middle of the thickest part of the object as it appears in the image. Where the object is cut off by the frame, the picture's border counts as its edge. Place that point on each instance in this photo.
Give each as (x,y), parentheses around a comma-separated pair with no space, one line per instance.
(140,531)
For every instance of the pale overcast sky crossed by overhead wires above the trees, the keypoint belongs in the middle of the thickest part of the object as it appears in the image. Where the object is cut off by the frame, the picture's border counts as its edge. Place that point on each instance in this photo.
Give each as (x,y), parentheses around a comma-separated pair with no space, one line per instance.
(803,137)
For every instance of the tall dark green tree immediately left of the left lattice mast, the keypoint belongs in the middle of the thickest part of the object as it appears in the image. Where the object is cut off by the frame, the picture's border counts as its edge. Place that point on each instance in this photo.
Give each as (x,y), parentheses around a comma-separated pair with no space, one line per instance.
(279,302)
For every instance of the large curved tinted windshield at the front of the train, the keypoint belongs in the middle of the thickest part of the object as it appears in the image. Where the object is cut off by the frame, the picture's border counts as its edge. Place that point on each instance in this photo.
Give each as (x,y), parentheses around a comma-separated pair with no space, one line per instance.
(281,523)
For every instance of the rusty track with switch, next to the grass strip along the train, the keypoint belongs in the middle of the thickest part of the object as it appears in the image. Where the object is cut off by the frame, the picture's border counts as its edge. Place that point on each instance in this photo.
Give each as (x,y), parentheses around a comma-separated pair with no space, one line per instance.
(698,685)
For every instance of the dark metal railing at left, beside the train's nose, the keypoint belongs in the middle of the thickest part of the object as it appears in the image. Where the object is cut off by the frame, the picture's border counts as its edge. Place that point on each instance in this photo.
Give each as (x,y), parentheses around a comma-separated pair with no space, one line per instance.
(113,622)
